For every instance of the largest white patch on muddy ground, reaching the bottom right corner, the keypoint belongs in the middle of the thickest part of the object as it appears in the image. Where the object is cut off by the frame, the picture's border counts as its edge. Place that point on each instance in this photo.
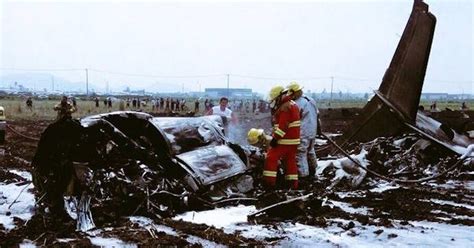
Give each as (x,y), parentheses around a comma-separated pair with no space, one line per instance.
(299,235)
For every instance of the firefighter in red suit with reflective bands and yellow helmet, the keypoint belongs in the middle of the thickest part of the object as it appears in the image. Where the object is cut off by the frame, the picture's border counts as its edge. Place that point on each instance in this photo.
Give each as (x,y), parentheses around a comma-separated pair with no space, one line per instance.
(285,139)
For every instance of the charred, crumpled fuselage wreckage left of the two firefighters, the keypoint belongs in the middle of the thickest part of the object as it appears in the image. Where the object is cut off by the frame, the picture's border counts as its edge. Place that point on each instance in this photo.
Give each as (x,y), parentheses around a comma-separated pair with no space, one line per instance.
(139,164)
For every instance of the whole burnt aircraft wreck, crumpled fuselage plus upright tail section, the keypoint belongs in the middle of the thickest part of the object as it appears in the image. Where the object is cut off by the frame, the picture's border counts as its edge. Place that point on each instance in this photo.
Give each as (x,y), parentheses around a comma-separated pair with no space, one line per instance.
(126,163)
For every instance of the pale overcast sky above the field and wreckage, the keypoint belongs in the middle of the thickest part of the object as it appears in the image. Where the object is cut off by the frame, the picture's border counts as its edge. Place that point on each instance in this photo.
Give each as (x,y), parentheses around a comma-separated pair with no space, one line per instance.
(353,41)
